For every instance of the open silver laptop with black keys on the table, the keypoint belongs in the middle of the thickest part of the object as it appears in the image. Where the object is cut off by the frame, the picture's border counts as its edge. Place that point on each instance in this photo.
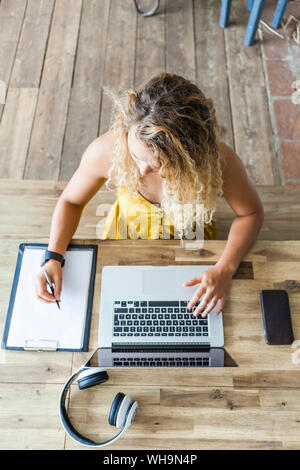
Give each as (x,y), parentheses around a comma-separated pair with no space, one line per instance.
(143,309)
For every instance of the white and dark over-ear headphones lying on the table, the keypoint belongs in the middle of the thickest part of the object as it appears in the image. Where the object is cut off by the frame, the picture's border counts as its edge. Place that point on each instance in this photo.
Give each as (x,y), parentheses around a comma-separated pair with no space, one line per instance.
(122,412)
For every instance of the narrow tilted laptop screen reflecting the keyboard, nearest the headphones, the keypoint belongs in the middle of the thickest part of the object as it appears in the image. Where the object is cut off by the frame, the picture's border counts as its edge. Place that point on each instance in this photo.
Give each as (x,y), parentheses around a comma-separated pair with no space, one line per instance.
(169,357)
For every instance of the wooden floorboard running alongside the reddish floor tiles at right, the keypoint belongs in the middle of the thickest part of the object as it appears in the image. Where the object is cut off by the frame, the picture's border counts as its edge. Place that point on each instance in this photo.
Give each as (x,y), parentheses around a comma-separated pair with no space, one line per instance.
(249,104)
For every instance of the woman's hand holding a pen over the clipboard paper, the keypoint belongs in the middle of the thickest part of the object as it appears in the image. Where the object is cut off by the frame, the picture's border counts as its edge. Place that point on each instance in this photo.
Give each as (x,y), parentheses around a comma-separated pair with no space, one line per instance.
(54,270)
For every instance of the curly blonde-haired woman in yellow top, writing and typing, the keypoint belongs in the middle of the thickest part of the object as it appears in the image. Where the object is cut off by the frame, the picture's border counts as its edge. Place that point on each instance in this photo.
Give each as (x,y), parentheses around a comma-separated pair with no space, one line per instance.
(164,154)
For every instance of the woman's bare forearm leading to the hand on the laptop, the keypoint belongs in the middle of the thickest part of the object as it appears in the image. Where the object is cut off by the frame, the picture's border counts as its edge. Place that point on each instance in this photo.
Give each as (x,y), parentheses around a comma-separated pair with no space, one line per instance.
(243,233)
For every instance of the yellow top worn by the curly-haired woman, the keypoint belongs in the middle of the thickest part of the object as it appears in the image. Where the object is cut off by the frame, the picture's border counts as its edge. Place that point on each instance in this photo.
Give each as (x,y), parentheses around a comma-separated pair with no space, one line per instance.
(134,217)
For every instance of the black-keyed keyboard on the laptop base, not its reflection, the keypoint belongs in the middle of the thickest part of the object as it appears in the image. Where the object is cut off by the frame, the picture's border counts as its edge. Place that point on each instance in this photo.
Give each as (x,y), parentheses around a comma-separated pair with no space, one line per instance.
(157,318)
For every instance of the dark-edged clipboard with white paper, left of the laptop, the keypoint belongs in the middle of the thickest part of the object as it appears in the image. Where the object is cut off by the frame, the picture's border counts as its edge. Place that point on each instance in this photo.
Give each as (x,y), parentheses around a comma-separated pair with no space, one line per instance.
(62,330)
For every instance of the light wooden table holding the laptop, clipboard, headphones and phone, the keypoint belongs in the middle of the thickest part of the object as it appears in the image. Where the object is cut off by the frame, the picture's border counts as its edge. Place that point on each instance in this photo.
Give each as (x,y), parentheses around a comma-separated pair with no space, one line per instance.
(254,406)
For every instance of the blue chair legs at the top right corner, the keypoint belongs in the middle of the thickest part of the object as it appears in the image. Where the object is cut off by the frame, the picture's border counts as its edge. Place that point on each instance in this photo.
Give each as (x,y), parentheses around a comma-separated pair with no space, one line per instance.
(256,8)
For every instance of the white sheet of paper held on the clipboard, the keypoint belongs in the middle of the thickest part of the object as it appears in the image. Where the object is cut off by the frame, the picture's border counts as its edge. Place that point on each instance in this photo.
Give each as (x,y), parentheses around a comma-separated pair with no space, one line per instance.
(34,321)
